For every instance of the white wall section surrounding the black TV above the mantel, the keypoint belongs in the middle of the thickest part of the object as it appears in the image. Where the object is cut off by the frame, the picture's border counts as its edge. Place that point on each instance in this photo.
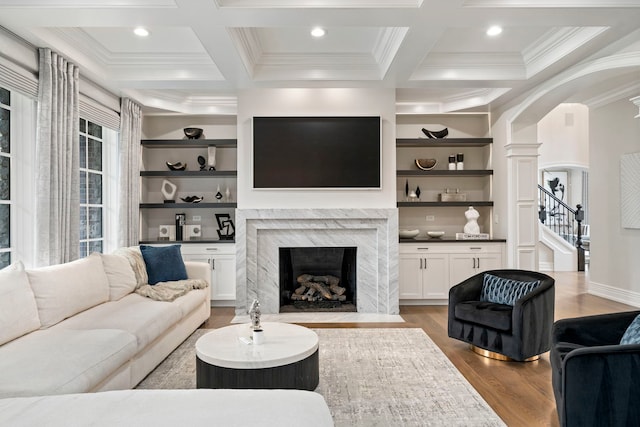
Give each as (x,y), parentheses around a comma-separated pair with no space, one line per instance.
(316,102)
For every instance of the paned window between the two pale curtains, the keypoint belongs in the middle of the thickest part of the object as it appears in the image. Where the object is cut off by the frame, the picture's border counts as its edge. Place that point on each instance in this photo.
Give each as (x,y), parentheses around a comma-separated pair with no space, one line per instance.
(92,205)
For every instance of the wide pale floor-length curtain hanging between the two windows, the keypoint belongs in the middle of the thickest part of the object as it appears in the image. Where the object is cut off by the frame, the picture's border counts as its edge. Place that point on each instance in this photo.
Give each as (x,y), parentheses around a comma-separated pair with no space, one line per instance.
(57,154)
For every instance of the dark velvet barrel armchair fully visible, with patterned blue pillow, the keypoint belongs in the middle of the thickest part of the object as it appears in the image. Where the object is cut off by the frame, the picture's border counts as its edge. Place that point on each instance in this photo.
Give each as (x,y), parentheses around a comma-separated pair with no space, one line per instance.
(520,332)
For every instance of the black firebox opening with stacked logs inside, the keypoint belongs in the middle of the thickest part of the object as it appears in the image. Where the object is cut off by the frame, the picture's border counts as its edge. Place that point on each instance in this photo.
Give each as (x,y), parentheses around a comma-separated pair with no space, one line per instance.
(317,279)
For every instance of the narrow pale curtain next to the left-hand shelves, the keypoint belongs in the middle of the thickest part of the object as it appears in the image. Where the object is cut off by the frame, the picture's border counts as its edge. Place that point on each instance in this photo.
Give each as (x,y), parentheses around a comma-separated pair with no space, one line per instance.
(129,162)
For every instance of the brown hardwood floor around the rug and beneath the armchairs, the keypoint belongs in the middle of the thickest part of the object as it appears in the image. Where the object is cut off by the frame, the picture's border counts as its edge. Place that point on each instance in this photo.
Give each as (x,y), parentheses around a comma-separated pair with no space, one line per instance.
(520,393)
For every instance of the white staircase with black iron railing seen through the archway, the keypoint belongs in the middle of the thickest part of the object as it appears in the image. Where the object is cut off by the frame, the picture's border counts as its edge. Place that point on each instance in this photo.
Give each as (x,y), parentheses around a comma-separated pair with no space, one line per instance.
(561,231)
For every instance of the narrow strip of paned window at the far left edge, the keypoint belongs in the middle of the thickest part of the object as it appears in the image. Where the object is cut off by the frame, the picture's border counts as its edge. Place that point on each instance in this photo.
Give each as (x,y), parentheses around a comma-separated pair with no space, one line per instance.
(5,178)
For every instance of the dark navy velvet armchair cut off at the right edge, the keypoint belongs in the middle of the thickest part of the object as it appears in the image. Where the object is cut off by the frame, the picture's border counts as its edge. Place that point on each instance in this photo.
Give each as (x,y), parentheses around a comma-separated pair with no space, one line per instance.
(596,381)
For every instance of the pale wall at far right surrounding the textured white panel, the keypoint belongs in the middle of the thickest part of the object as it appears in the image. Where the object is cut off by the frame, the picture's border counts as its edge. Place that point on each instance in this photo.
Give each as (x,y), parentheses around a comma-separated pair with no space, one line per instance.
(614,268)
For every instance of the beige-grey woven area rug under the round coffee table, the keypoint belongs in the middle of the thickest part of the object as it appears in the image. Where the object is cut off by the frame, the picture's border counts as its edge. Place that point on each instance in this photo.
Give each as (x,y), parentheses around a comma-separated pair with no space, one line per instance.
(370,377)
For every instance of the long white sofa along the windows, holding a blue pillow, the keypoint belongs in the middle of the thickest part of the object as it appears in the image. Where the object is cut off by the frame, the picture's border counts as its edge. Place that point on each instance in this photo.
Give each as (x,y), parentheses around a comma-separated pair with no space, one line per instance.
(79,327)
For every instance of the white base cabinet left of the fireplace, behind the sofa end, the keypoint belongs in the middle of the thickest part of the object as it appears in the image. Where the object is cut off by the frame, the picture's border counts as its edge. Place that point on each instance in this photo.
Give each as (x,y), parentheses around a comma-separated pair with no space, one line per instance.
(222,261)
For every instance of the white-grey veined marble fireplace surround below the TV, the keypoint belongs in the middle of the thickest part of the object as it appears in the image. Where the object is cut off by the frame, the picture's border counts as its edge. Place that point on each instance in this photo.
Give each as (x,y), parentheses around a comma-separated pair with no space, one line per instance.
(261,232)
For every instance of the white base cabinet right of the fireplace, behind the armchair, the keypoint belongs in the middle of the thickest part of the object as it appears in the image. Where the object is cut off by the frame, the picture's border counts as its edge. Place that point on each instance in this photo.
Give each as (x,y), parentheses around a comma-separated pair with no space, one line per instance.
(428,271)
